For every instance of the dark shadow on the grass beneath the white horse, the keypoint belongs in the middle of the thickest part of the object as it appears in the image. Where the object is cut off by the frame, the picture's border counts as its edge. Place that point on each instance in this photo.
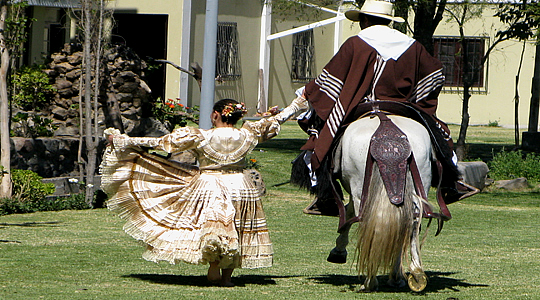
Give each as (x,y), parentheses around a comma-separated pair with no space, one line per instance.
(437,281)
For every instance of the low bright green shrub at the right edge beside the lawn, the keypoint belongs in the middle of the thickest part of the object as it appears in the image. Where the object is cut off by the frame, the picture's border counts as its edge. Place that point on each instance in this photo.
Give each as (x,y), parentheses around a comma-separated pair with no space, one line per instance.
(514,164)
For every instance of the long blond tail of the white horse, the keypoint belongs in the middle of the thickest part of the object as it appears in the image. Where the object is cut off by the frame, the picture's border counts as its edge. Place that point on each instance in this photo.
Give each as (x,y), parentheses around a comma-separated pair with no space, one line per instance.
(385,229)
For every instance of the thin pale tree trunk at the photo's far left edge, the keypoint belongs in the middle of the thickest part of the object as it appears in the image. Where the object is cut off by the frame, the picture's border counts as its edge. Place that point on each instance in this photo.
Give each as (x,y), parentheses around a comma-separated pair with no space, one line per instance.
(5,148)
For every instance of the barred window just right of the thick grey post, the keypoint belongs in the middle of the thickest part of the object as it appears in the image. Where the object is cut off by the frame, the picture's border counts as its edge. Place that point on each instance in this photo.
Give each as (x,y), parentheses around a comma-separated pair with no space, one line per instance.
(227,60)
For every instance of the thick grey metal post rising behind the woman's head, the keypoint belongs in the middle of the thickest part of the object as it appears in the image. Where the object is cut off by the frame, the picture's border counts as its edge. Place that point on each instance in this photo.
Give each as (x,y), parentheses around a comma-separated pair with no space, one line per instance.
(209,64)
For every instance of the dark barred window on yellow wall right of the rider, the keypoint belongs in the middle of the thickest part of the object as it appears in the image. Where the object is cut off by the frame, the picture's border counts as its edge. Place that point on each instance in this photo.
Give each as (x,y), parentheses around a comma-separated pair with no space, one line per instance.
(448,50)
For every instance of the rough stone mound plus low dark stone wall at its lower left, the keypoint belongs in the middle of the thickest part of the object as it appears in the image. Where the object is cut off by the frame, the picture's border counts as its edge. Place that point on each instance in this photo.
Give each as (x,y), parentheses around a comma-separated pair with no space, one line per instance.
(123,90)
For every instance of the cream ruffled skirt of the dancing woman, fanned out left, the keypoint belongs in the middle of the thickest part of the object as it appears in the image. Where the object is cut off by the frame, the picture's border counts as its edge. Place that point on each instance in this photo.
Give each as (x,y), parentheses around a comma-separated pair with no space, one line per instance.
(183,214)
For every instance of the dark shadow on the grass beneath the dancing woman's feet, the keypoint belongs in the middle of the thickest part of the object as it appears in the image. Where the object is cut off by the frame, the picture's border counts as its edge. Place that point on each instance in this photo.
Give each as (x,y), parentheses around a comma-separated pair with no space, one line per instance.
(241,280)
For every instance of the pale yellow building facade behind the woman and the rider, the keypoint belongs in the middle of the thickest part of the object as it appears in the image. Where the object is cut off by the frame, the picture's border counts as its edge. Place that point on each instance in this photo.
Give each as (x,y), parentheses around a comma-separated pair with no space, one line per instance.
(263,58)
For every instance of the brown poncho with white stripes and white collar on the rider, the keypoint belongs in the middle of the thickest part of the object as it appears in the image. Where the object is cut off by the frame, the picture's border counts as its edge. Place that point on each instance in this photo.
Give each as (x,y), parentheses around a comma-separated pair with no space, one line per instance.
(358,73)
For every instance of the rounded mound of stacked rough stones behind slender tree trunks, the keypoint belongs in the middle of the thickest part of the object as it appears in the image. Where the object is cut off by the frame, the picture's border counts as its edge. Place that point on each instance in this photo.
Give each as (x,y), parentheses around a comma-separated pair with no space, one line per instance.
(124,97)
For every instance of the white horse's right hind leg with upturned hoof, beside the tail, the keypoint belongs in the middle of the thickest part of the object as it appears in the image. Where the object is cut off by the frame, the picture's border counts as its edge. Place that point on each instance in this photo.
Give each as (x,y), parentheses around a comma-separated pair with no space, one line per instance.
(417,278)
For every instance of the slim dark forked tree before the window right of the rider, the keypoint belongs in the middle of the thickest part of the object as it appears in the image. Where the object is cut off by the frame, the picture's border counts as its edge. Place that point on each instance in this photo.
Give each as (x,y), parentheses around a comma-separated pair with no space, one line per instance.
(461,13)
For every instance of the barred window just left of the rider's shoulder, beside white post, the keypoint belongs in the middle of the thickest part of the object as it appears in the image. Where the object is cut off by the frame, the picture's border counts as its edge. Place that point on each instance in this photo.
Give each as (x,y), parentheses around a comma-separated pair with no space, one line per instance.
(302,56)
